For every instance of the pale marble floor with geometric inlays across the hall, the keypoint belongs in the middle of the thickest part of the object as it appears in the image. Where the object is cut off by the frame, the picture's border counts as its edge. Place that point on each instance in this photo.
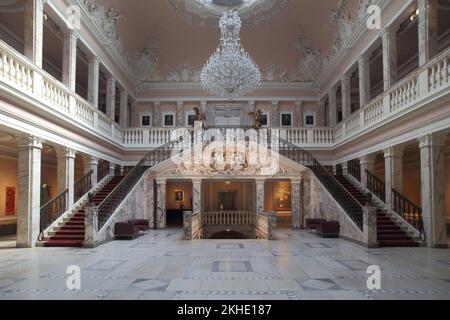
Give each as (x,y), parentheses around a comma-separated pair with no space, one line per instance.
(159,265)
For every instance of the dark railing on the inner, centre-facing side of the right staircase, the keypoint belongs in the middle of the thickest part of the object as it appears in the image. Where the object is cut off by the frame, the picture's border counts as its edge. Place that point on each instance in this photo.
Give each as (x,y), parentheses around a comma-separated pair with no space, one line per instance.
(345,199)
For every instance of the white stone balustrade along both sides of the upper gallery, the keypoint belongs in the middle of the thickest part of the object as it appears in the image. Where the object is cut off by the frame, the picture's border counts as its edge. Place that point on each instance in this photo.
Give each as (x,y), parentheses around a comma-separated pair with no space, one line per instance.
(21,74)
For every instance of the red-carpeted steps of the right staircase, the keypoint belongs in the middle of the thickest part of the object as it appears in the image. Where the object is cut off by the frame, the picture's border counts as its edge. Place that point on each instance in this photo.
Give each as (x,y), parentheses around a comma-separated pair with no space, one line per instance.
(389,233)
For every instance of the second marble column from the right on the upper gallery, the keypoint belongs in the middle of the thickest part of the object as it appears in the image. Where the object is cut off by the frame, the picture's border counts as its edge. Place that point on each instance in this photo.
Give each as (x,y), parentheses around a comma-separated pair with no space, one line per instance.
(389,43)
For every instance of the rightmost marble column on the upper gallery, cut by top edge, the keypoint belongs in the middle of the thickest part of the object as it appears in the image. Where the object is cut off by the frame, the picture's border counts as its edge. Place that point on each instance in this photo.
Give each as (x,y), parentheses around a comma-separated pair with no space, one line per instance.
(428,30)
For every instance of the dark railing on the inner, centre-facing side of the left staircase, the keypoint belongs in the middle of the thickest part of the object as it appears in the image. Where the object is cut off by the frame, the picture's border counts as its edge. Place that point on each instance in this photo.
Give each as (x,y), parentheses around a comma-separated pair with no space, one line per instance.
(115,198)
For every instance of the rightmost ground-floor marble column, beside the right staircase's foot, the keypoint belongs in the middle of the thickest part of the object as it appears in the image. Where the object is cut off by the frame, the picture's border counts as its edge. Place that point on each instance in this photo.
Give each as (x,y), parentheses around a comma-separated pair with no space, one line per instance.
(432,168)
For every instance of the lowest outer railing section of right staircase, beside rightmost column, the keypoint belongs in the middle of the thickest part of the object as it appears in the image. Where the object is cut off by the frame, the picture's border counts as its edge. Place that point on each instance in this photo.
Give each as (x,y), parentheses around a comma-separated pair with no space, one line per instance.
(410,211)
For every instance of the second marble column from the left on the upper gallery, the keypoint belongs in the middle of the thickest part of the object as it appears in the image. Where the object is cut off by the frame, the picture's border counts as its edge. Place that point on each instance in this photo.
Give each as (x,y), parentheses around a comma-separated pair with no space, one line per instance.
(69,65)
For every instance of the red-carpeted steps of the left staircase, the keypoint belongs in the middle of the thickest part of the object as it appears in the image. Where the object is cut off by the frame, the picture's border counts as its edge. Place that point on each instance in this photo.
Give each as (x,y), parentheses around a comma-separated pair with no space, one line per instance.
(70,233)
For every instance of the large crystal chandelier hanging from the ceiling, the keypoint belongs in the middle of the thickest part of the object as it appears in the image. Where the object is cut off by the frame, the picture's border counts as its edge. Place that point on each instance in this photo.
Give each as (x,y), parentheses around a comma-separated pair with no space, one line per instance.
(230,72)
